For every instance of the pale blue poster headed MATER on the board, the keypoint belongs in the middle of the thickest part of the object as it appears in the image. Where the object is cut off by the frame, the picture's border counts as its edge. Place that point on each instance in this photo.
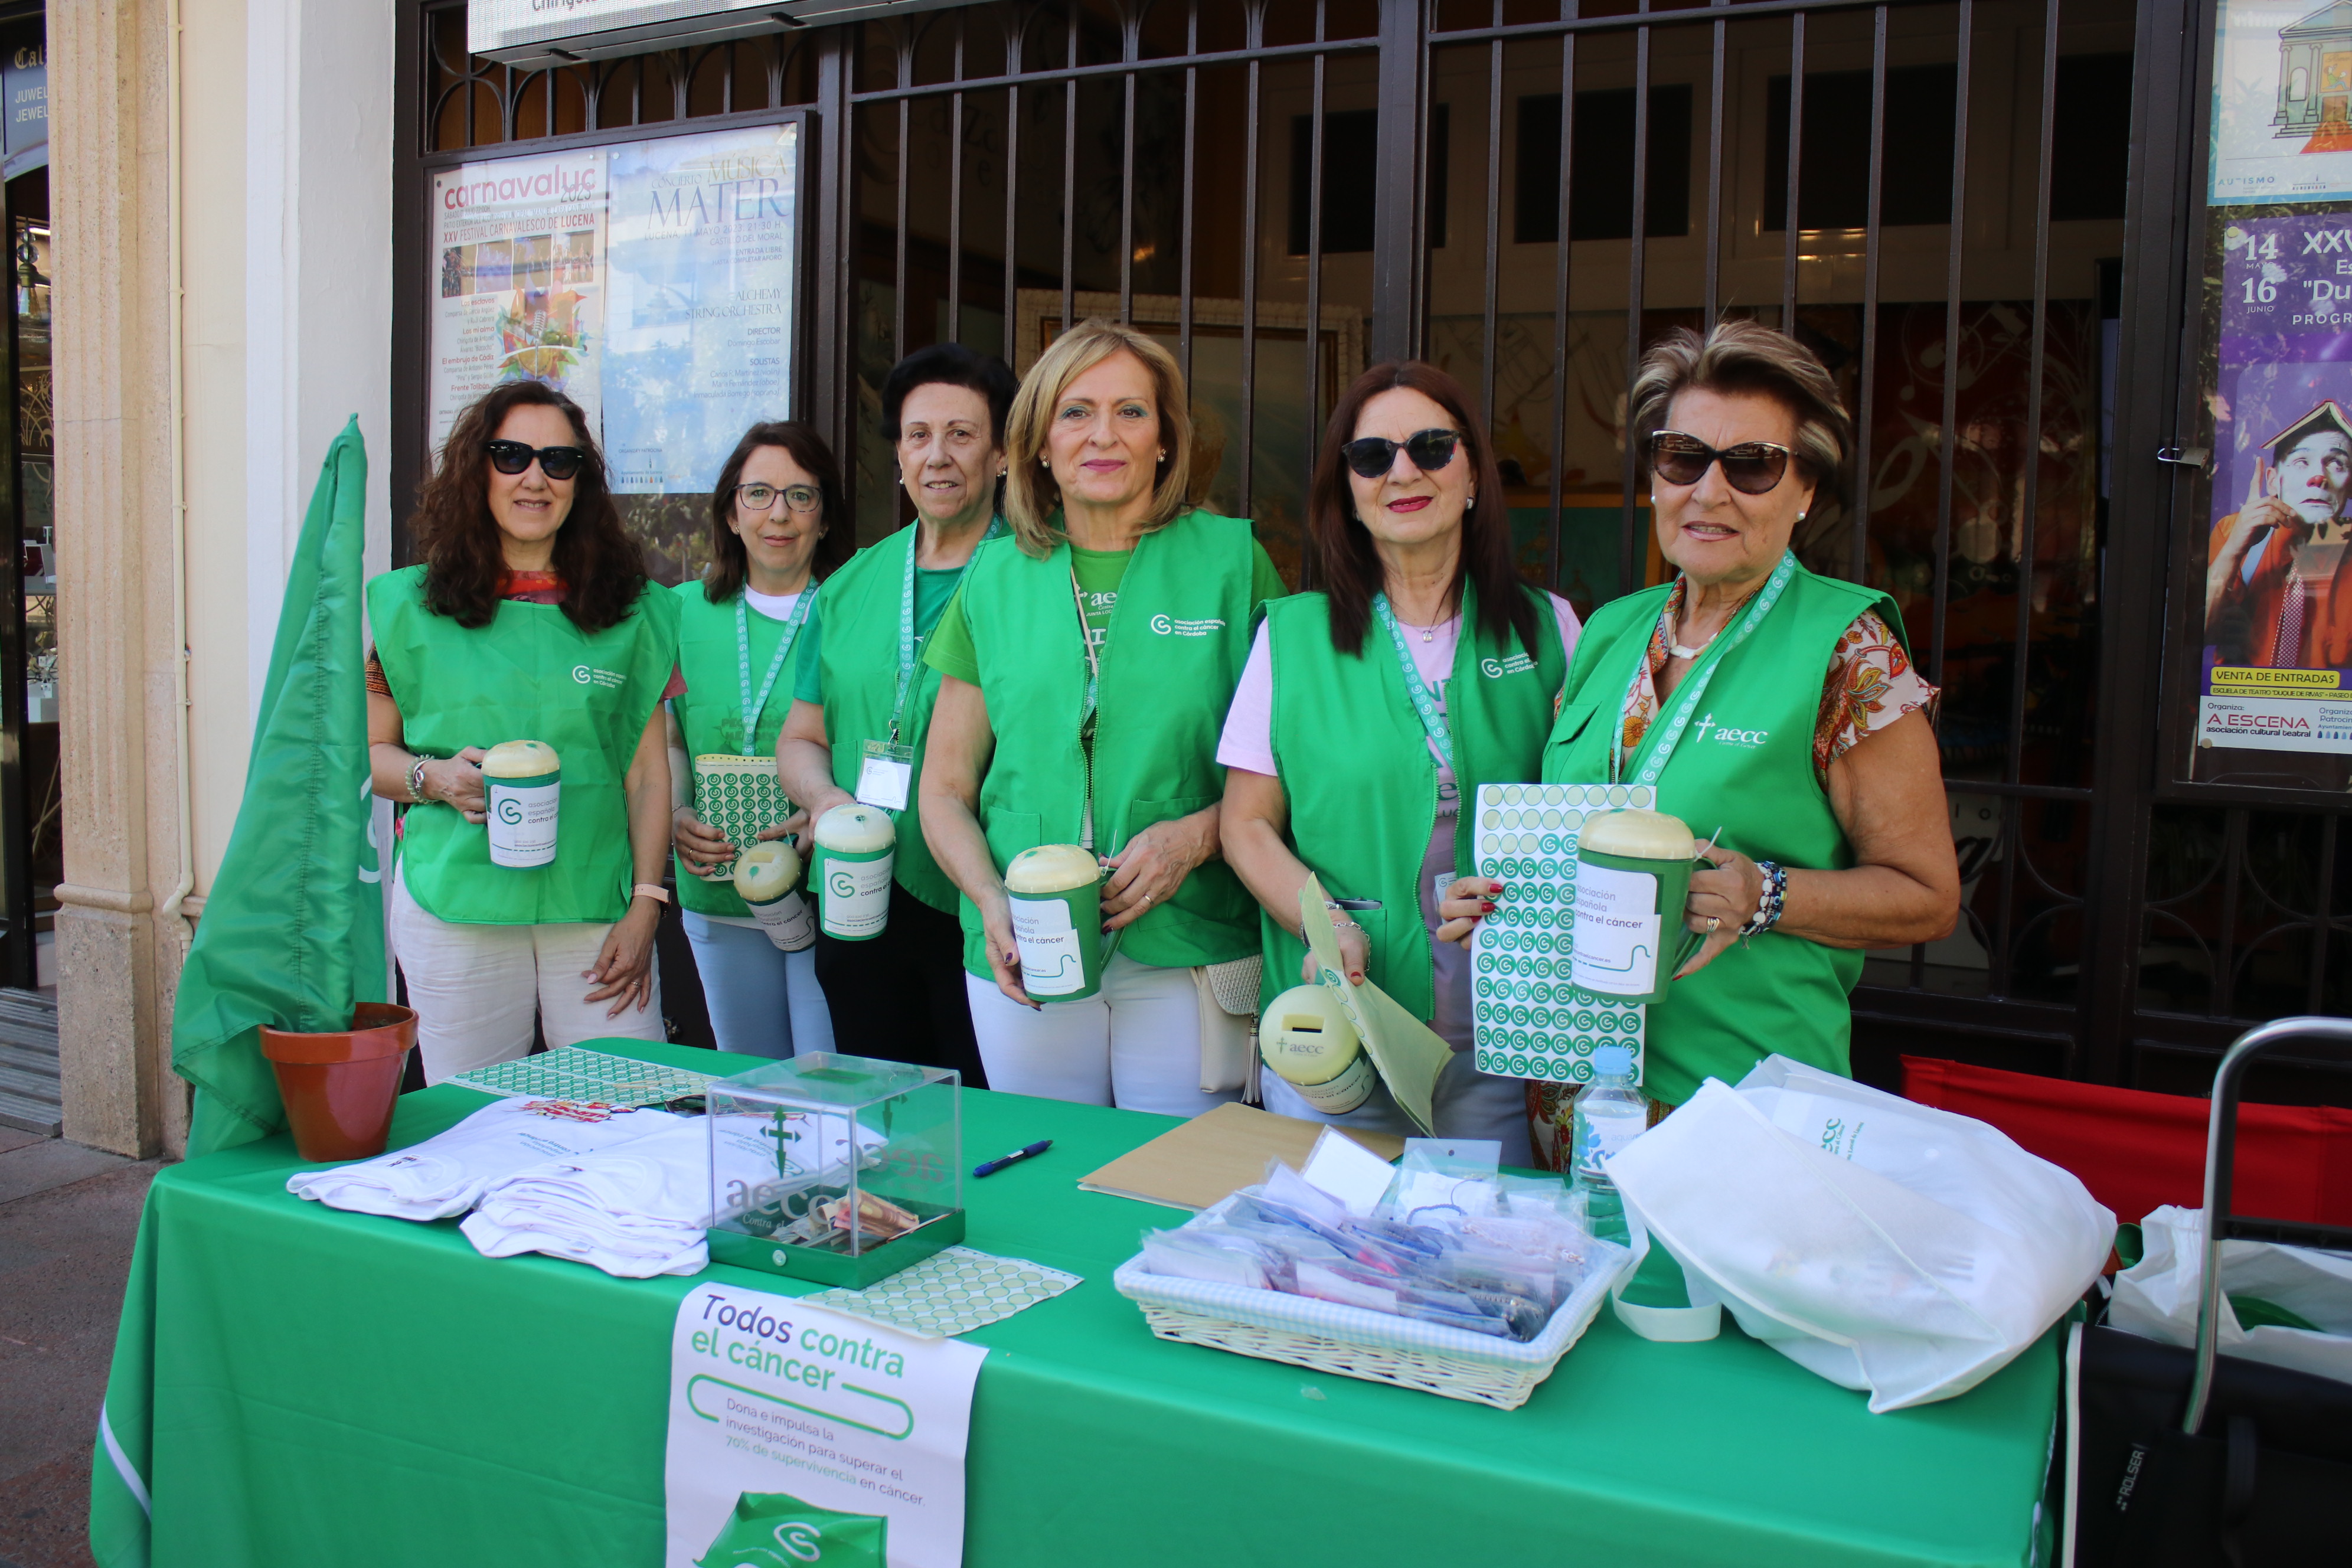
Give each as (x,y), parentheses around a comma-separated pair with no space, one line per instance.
(702,302)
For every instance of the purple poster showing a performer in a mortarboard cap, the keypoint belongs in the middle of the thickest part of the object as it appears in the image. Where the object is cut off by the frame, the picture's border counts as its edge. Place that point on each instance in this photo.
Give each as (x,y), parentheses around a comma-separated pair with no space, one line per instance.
(2278,575)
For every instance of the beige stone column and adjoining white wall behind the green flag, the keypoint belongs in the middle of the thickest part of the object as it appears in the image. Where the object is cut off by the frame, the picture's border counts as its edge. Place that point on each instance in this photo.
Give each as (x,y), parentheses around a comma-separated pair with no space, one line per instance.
(279,170)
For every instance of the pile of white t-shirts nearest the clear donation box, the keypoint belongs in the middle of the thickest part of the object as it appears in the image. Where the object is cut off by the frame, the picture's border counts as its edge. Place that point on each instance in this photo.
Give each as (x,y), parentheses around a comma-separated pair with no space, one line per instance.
(643,1209)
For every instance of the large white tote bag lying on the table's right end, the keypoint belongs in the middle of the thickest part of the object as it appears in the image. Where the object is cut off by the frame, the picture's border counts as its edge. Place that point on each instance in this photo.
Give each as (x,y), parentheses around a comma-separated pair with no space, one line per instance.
(1883,1245)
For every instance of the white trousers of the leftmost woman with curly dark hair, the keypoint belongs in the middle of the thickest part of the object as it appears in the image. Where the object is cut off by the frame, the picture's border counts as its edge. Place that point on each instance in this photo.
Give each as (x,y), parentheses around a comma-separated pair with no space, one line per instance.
(476,989)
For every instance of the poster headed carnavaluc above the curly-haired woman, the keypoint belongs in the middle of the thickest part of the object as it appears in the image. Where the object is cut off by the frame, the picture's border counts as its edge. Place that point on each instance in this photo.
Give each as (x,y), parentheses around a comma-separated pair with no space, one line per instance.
(519,279)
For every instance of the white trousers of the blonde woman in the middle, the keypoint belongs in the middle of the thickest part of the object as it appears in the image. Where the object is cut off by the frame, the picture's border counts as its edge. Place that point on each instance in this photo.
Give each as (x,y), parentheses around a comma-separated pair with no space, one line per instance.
(1132,1045)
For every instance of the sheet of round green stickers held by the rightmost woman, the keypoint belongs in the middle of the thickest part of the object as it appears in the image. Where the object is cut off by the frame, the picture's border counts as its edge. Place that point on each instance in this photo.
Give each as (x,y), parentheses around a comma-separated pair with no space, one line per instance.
(1530,1024)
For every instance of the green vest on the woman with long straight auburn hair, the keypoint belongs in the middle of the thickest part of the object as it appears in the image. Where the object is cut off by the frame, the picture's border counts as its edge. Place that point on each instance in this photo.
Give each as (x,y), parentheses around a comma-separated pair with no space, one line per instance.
(1363,784)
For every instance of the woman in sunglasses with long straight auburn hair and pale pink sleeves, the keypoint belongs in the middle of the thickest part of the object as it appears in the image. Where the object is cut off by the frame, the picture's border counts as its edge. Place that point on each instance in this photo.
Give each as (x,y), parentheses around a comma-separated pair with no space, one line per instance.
(1375,706)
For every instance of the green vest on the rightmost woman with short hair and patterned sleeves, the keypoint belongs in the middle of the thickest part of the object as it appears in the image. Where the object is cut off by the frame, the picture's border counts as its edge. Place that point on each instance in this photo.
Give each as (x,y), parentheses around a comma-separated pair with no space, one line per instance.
(1746,765)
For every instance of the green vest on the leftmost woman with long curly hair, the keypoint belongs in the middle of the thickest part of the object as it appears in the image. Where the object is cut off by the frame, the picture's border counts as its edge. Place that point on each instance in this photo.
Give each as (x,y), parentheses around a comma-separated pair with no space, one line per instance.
(528,676)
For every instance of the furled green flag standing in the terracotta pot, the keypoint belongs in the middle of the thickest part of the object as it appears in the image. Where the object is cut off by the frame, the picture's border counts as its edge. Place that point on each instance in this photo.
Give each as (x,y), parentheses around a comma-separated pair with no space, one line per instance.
(293,932)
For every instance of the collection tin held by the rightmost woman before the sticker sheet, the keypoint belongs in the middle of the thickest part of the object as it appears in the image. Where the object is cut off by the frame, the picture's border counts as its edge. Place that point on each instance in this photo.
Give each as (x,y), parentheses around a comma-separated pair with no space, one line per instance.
(1633,878)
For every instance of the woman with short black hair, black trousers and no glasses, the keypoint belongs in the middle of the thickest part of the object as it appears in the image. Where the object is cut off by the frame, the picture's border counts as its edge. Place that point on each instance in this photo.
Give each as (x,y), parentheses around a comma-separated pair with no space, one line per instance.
(867,695)
